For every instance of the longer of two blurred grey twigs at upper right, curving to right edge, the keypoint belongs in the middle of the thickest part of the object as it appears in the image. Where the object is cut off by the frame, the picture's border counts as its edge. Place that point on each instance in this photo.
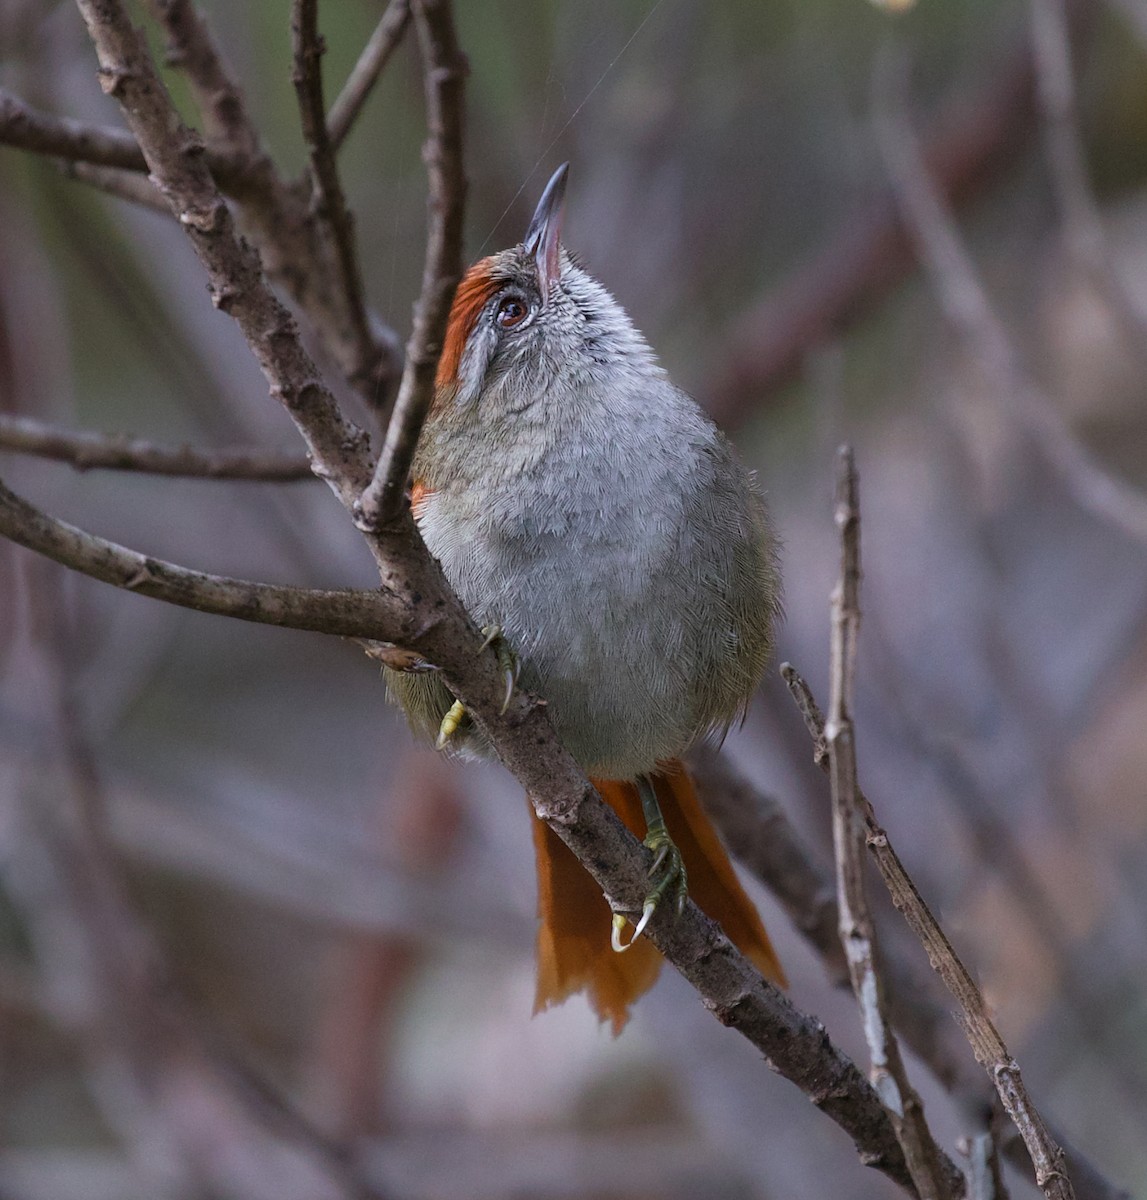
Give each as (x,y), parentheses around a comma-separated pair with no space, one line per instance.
(966,307)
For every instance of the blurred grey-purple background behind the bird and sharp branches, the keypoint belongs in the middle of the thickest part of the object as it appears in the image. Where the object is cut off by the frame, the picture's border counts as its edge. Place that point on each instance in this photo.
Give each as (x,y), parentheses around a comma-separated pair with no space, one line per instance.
(245,923)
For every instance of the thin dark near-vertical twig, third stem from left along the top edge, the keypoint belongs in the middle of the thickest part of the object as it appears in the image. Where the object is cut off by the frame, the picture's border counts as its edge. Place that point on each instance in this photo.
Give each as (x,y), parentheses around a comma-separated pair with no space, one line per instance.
(329,201)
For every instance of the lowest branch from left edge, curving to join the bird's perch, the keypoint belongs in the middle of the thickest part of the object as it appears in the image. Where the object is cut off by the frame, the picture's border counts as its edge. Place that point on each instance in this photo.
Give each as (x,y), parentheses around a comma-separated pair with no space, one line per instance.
(349,614)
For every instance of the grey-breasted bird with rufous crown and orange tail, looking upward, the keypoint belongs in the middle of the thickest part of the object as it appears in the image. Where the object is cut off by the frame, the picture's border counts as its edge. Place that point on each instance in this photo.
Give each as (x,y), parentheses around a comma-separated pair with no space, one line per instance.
(621,561)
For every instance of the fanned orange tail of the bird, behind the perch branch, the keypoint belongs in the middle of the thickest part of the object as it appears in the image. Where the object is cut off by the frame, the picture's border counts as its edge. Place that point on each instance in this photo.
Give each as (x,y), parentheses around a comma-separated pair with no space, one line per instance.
(574,951)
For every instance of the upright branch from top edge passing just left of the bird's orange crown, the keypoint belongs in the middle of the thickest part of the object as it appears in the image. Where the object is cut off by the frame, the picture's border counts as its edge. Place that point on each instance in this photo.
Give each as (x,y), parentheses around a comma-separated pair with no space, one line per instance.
(446,70)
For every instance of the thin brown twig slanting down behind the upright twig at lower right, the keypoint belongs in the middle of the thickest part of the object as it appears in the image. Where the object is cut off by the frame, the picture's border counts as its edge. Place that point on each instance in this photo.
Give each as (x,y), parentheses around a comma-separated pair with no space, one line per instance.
(987,1043)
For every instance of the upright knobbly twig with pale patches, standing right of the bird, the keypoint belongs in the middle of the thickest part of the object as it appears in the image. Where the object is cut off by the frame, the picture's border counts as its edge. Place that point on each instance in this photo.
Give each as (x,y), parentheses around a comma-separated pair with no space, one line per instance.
(857,931)
